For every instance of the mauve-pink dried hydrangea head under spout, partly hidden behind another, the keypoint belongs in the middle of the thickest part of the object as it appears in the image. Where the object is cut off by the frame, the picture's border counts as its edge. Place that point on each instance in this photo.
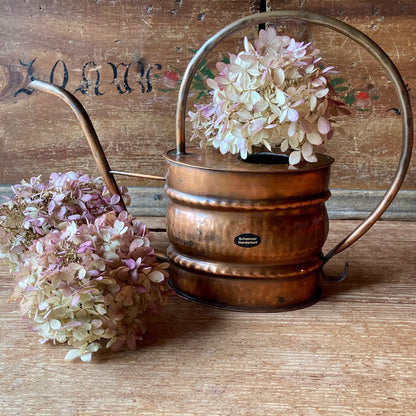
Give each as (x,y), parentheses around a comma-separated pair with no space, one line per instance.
(37,208)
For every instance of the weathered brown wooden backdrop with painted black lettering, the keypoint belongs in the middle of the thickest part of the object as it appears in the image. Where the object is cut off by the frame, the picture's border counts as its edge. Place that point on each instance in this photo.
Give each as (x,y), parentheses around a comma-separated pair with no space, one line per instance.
(124,60)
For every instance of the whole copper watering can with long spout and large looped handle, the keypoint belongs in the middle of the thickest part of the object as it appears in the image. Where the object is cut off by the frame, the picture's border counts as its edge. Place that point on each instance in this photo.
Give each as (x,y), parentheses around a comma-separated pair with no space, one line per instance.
(250,236)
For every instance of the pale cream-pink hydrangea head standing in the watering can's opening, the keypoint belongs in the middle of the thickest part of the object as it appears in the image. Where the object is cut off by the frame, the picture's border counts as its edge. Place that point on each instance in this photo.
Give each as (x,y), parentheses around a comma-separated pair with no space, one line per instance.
(274,93)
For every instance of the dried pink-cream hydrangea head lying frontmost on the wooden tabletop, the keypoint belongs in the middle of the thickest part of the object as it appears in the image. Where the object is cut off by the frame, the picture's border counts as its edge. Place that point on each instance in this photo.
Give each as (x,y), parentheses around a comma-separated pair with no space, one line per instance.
(88,285)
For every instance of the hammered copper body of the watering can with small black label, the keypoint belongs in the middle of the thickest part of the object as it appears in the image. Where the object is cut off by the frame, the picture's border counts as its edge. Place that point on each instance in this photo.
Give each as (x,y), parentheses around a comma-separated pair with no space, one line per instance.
(216,201)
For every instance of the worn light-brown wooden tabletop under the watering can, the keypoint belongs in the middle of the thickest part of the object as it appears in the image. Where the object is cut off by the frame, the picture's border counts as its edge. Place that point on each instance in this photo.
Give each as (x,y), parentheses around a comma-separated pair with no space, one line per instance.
(352,353)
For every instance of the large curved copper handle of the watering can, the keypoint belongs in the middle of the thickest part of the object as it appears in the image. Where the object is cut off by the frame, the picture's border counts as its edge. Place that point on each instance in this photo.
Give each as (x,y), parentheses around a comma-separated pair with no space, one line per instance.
(362,40)
